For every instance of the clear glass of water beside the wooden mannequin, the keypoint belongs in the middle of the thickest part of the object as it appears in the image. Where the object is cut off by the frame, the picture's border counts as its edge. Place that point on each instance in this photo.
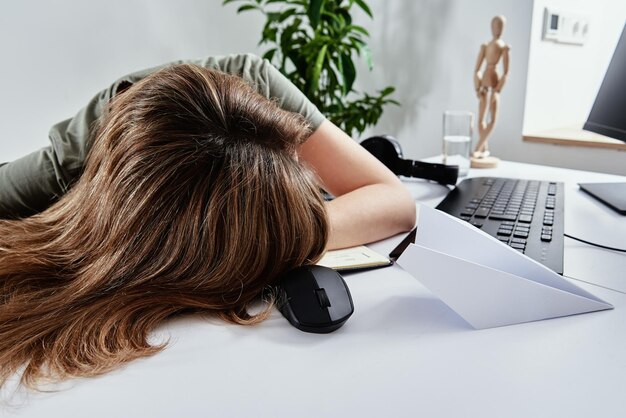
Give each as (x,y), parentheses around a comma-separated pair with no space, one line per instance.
(457,139)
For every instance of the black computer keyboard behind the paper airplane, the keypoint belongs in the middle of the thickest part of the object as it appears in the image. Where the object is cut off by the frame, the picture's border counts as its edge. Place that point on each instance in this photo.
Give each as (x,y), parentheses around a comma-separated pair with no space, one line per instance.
(525,214)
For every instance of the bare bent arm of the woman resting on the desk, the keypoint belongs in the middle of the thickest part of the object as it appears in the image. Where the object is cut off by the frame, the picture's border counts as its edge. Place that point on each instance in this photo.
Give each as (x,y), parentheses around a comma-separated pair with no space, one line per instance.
(371,203)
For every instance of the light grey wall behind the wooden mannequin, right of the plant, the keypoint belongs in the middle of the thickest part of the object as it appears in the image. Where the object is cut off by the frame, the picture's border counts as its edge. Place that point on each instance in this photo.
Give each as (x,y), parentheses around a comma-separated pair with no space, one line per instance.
(428,50)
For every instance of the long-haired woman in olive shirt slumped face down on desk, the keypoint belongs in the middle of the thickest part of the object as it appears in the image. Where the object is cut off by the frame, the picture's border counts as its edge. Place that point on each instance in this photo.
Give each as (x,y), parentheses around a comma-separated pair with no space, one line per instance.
(177,189)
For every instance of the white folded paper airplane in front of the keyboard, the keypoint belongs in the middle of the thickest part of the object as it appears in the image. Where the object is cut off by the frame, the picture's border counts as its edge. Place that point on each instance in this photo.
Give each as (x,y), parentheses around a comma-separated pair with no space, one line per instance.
(484,280)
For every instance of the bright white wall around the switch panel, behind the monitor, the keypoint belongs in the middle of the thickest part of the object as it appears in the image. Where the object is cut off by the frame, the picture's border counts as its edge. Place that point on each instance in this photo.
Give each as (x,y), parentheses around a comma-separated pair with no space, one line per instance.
(563,78)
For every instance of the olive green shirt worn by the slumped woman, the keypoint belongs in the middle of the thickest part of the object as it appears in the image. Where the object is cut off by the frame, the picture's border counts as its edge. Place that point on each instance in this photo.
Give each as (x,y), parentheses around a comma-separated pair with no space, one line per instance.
(30,184)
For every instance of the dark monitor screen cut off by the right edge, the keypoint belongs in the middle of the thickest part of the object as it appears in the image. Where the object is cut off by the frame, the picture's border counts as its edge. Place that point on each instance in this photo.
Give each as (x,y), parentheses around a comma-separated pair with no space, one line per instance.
(608,114)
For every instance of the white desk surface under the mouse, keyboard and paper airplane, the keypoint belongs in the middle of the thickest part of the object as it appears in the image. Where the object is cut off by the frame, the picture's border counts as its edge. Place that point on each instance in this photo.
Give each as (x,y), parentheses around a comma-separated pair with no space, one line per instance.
(402,354)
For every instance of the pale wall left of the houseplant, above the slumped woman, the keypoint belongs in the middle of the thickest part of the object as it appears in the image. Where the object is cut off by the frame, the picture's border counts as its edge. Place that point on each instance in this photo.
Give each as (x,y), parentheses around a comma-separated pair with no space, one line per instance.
(57,54)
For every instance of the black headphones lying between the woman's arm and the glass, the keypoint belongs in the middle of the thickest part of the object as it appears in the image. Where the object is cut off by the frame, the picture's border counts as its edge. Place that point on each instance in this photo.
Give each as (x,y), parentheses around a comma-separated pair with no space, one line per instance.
(389,152)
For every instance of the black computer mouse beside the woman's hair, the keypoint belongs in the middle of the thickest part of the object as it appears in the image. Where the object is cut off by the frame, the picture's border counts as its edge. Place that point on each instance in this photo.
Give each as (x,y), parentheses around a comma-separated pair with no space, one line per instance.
(314,299)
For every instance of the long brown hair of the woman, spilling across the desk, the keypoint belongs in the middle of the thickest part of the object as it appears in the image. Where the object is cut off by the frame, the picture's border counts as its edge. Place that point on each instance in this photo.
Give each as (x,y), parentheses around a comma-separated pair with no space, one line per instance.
(191,200)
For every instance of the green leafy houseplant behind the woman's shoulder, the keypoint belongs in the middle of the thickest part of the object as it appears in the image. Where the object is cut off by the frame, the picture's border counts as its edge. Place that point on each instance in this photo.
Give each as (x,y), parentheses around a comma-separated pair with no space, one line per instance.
(314,43)
